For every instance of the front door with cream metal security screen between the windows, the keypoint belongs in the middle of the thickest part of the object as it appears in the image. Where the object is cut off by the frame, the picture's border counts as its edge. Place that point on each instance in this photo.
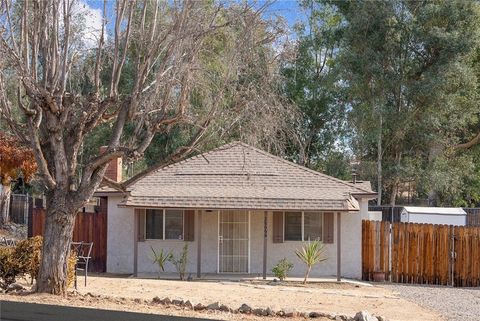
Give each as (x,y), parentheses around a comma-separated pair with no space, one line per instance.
(233,241)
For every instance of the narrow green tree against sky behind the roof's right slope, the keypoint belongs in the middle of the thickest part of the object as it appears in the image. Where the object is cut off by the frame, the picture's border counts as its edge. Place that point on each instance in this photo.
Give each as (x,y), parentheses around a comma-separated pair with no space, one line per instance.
(311,82)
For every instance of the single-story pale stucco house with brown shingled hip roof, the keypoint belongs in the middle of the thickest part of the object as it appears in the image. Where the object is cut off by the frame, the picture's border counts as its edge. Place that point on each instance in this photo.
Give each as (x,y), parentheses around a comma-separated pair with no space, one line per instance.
(241,210)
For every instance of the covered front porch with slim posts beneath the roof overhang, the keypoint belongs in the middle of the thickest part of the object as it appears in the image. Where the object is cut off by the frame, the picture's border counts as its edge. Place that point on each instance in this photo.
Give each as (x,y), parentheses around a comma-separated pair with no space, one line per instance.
(248,243)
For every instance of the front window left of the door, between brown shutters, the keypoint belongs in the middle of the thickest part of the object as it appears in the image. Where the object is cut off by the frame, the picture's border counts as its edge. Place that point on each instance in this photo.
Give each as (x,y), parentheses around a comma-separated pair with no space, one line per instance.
(164,224)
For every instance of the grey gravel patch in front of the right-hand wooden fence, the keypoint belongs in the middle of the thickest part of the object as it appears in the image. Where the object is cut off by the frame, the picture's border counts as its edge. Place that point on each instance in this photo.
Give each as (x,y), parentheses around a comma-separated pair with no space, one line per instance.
(455,304)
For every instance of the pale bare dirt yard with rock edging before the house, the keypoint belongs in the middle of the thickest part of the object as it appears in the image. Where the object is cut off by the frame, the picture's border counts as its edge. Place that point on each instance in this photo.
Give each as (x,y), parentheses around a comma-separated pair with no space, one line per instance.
(136,294)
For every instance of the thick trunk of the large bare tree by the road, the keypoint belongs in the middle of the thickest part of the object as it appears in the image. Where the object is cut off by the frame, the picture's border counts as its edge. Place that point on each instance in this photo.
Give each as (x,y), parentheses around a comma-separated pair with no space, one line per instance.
(60,220)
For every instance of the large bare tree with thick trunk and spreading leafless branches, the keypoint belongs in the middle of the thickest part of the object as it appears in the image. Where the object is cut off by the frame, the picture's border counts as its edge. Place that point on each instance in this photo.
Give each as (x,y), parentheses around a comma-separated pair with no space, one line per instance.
(54,91)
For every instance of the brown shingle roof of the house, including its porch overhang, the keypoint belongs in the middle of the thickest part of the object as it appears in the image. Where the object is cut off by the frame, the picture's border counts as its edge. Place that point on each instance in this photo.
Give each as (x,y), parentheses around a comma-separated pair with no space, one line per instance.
(243,177)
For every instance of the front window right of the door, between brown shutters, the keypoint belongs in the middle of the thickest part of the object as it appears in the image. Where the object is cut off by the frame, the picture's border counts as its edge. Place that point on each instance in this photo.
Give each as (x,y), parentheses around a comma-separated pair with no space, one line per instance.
(303,226)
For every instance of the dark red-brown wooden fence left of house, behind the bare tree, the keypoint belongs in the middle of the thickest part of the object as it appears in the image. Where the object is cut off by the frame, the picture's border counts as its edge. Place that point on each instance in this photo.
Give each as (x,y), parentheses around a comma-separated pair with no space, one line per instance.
(89,227)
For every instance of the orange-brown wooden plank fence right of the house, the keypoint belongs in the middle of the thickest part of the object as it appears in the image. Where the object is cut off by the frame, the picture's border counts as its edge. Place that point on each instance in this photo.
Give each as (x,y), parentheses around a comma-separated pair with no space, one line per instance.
(421,253)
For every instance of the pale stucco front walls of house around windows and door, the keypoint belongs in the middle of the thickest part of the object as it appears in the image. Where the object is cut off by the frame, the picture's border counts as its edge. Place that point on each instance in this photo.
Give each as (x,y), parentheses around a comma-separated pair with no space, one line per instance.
(120,244)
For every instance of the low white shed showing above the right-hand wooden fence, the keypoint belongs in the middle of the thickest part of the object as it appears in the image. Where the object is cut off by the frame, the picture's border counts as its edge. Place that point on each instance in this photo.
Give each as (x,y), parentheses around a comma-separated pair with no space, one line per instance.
(434,215)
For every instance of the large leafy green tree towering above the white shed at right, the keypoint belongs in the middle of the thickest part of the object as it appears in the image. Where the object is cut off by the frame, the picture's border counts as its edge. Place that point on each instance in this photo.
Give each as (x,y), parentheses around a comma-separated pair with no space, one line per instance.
(406,69)
